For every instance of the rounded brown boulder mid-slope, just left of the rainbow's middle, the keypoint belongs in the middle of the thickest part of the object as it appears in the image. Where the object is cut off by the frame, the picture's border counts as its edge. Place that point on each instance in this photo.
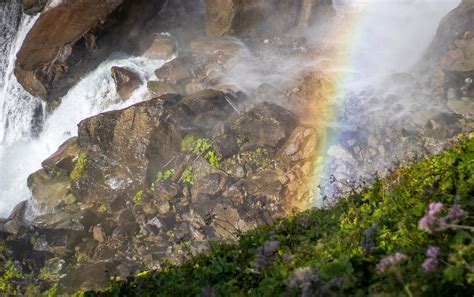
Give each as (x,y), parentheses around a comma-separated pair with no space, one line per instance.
(265,124)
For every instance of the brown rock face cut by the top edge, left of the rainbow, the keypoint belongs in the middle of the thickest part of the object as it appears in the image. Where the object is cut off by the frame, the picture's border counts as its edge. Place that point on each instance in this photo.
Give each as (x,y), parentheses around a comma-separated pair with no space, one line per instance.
(244,17)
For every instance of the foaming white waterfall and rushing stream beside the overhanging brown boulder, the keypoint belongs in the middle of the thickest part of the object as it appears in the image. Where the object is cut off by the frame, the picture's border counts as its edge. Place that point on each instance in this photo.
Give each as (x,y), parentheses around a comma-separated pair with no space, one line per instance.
(21,149)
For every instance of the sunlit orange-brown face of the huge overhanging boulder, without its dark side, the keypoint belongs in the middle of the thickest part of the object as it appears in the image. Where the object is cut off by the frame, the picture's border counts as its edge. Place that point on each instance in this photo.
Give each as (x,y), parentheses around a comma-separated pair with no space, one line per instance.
(47,47)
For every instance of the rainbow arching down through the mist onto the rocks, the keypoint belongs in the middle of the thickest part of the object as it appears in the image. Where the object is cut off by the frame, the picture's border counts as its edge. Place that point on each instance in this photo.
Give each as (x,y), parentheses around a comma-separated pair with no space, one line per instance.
(342,59)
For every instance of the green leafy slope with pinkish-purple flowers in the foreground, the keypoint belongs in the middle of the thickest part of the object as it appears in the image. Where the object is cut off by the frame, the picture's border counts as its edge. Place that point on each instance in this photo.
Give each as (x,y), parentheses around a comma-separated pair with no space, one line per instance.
(409,234)
